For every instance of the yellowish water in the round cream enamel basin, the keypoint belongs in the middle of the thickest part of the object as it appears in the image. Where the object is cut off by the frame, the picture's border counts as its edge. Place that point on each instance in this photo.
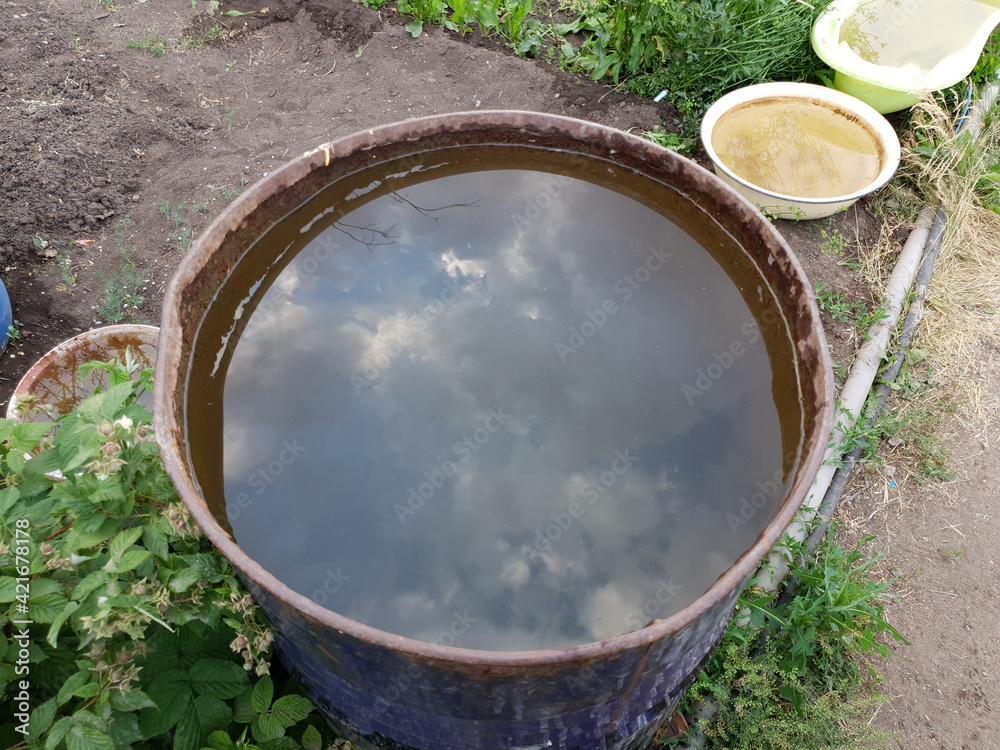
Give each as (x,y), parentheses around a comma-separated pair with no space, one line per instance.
(797,148)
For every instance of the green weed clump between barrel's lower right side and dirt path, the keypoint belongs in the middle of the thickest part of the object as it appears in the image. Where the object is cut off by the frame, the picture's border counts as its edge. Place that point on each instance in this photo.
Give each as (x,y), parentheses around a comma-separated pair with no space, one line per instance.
(807,687)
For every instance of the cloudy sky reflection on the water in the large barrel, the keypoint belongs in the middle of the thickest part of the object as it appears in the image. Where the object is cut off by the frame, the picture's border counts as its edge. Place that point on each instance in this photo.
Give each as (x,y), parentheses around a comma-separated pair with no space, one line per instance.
(472,414)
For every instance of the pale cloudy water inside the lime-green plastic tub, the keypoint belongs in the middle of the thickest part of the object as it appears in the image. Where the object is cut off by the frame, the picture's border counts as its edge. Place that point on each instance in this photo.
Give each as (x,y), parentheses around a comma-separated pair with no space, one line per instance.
(896,33)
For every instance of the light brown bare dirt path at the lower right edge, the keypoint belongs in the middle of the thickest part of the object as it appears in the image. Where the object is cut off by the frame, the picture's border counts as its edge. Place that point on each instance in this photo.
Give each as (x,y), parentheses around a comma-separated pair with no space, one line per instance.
(942,541)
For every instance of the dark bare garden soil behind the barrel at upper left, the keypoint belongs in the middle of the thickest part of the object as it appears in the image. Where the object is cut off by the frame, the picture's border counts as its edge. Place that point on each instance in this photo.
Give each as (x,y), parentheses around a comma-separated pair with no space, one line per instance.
(138,153)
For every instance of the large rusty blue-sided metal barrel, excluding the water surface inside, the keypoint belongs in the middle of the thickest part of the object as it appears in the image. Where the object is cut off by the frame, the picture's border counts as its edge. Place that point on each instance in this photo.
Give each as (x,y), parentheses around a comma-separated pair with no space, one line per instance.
(387,691)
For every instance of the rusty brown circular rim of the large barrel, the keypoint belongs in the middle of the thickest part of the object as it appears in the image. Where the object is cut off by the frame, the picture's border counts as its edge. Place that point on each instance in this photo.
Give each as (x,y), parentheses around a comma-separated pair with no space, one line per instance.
(519,128)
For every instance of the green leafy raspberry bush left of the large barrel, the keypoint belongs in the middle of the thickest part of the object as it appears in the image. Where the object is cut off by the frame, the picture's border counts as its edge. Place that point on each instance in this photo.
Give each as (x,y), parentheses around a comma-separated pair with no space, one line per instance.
(141,635)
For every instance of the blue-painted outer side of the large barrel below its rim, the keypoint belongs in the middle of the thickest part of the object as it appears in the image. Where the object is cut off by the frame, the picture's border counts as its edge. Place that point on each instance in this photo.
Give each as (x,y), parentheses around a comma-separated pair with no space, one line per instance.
(595,704)
